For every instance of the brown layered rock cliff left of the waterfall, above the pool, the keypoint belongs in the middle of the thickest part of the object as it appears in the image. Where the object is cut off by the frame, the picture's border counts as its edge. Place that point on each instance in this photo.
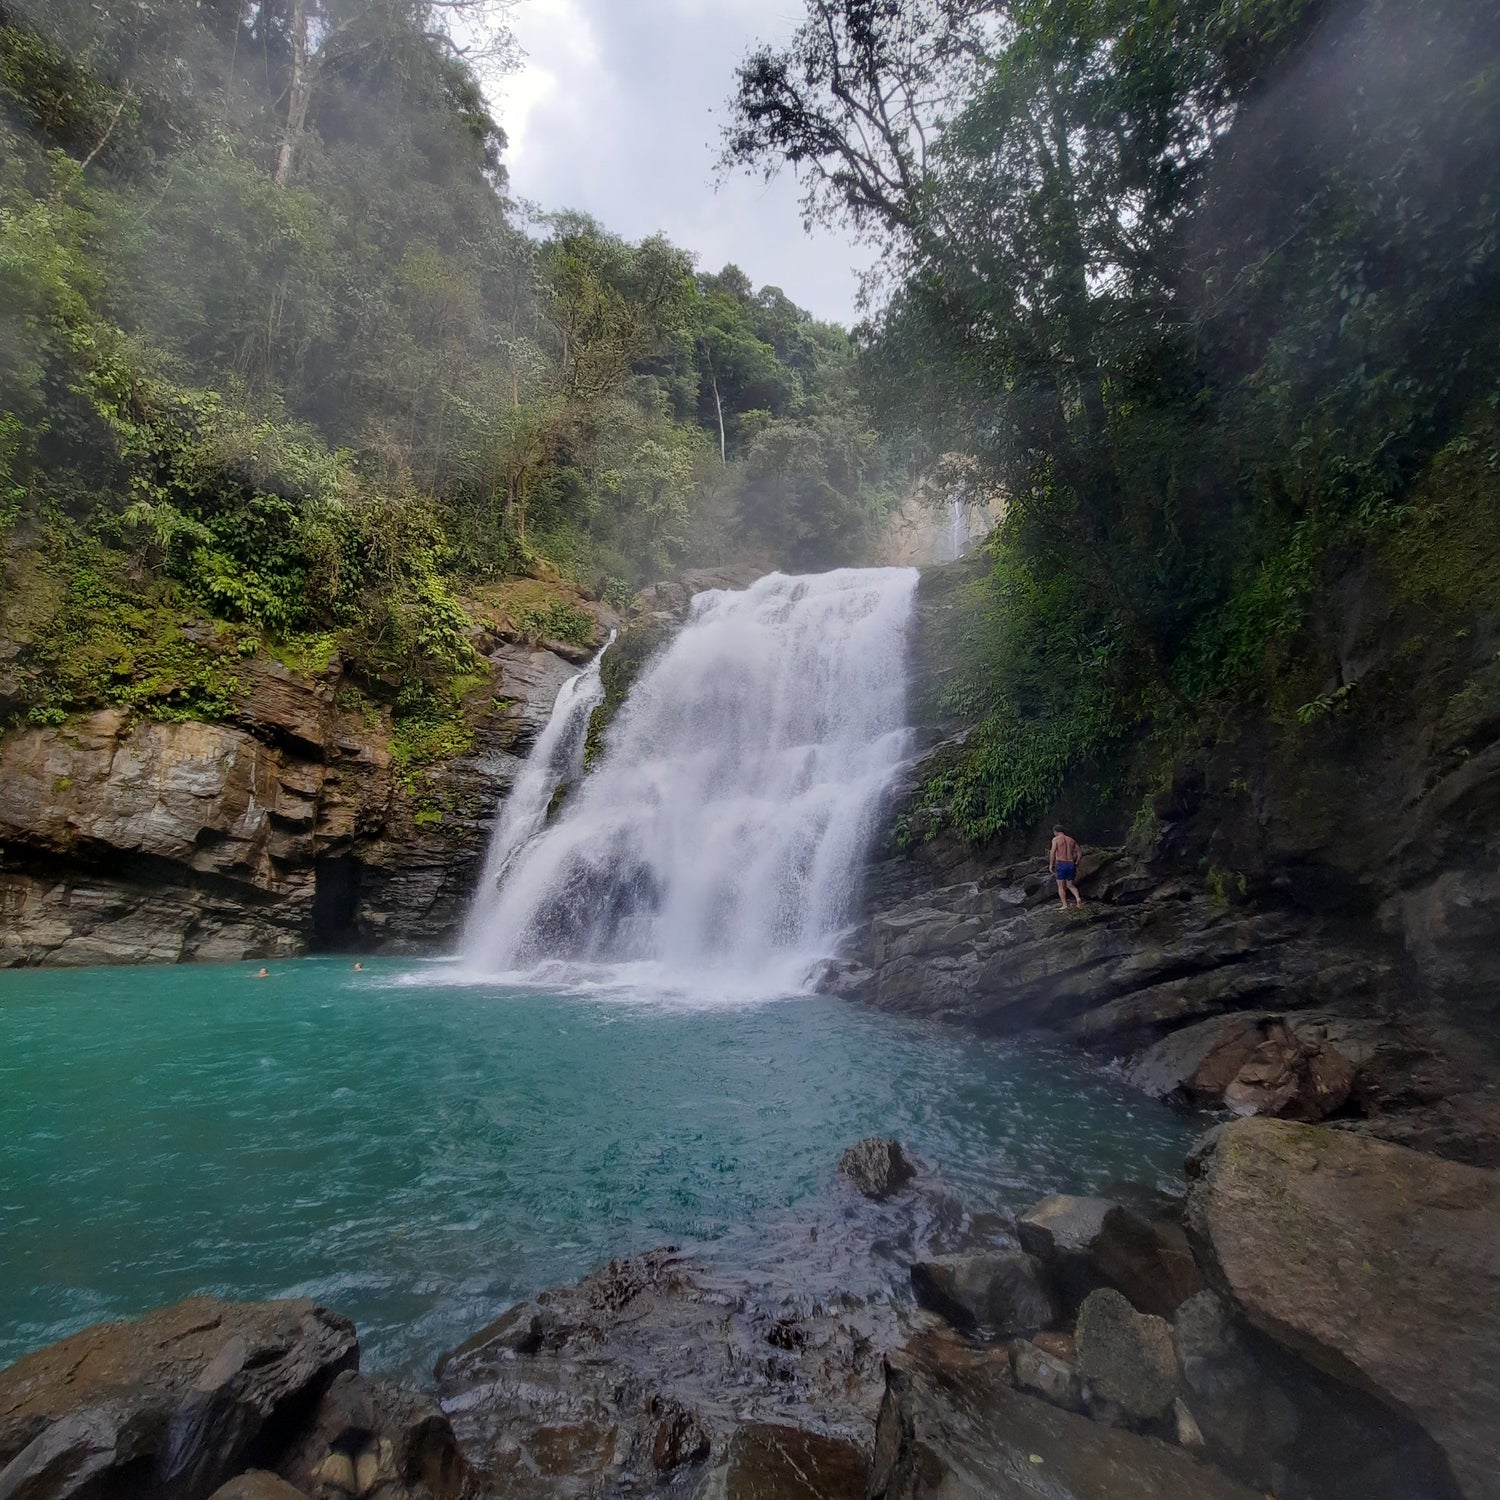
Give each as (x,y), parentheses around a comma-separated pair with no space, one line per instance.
(128,841)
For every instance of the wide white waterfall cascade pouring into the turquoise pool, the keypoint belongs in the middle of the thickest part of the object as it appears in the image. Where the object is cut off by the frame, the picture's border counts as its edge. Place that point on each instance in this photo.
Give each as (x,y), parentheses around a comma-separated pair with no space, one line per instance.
(724,835)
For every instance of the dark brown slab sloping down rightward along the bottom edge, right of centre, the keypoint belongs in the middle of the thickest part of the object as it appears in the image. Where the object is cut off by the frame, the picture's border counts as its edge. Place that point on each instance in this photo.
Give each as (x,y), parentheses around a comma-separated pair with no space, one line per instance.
(952,1427)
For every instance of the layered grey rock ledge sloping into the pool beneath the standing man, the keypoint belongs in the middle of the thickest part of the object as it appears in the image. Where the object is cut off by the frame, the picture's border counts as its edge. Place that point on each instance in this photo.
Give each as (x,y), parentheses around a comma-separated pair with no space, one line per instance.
(1258,1009)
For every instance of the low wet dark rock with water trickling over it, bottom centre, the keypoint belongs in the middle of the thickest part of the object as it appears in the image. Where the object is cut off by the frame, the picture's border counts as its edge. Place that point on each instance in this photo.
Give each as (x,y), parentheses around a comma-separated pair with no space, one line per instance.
(665,1375)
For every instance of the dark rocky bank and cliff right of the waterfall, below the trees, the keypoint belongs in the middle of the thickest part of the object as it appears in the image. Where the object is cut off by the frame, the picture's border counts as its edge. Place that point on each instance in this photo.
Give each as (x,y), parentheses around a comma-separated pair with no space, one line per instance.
(1301,920)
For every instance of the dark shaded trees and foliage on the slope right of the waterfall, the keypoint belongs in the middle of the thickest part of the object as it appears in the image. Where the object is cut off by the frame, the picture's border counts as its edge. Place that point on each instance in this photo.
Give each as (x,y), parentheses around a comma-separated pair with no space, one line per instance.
(1210,292)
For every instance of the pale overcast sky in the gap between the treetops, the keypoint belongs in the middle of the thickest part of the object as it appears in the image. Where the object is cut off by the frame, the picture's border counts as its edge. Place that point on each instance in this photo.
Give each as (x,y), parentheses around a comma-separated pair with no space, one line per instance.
(617,112)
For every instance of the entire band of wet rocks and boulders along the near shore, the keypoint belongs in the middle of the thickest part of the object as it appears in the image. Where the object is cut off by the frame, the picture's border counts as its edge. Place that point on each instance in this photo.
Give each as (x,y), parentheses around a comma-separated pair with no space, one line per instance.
(1324,1322)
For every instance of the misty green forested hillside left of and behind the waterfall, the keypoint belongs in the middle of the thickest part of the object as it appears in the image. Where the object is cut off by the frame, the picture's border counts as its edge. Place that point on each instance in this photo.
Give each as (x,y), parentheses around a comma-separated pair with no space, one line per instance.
(277,350)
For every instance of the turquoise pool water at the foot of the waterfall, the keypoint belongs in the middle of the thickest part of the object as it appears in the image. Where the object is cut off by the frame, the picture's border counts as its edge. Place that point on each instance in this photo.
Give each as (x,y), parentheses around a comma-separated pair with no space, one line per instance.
(419,1154)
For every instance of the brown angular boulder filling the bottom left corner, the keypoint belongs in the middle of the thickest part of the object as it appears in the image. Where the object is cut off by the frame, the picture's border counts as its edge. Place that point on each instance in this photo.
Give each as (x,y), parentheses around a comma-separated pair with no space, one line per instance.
(172,1405)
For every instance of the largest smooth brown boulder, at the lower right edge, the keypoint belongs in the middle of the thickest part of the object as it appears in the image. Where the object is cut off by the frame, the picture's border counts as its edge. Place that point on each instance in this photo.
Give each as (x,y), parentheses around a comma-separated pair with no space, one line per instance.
(1378,1265)
